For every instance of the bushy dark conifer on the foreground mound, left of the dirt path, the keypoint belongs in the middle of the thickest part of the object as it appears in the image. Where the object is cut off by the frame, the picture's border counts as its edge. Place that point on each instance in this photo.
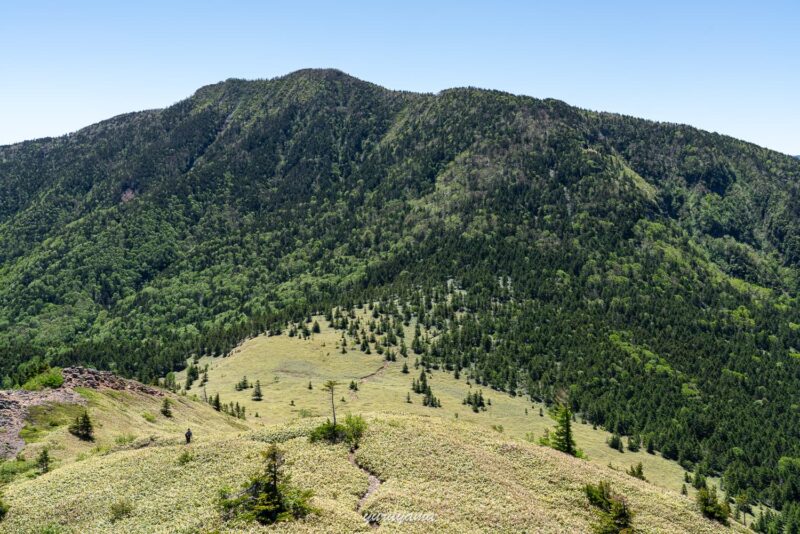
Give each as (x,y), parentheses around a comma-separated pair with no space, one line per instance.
(269,497)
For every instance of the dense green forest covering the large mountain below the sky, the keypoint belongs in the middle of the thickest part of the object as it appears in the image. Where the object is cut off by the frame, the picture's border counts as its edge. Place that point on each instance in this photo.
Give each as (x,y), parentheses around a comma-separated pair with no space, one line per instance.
(645,273)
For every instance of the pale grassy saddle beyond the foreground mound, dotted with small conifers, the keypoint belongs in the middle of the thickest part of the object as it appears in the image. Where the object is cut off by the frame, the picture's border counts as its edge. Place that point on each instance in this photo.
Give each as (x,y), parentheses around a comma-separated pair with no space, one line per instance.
(285,365)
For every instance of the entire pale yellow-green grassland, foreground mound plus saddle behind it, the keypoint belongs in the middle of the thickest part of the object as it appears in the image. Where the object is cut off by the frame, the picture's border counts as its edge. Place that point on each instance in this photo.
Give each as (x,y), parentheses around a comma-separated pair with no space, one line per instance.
(474,472)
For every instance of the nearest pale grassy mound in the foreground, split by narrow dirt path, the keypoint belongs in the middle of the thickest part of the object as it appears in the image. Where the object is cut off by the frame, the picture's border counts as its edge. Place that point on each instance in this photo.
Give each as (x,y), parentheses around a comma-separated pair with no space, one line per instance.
(471,479)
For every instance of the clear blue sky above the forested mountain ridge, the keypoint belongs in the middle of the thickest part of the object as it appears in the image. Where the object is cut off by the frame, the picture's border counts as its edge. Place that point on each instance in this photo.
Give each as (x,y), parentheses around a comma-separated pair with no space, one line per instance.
(727,66)
